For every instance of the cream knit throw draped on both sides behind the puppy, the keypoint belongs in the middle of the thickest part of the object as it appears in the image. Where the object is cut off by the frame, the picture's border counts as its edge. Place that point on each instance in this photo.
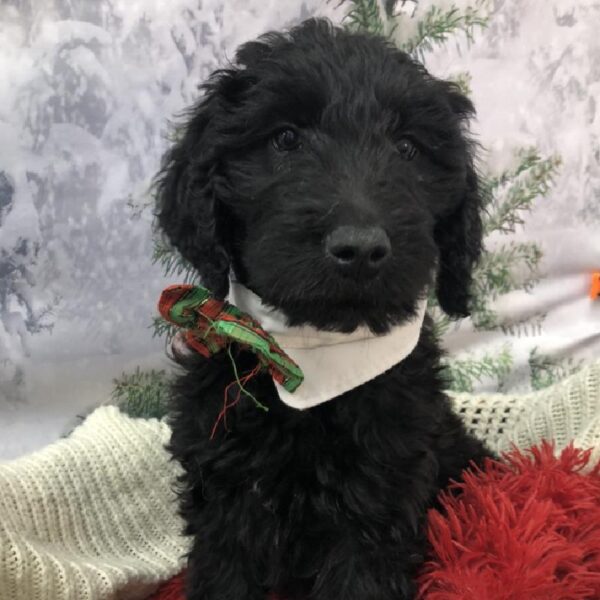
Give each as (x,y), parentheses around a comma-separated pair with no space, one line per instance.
(93,516)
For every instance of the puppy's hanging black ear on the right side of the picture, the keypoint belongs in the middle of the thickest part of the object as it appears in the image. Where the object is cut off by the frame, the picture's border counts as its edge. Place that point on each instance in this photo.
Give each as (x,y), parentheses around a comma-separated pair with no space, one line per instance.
(459,234)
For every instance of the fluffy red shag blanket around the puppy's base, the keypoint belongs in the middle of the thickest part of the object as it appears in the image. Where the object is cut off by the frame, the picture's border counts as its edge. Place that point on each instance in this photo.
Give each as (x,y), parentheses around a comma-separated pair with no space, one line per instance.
(526,528)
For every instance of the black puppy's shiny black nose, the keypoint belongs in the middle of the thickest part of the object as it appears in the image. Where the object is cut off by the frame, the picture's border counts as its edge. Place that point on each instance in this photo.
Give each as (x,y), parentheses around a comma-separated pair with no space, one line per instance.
(356,249)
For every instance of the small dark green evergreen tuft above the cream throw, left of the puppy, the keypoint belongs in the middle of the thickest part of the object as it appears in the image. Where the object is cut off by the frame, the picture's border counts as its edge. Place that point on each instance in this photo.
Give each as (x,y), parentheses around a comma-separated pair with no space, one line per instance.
(142,393)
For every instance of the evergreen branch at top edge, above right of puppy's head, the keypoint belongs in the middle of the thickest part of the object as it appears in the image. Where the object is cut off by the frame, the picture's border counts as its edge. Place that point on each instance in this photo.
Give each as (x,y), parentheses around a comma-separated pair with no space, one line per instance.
(438,24)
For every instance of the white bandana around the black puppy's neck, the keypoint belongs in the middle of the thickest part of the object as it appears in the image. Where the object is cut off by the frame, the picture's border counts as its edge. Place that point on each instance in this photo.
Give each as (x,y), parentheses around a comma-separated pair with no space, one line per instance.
(332,363)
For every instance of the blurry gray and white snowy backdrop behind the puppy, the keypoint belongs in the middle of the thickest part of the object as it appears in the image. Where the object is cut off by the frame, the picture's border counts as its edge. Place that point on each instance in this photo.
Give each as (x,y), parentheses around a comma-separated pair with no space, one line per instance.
(86,91)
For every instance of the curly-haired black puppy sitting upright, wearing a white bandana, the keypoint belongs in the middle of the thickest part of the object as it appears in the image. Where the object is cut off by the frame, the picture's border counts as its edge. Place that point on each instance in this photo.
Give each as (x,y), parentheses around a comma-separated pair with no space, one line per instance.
(331,174)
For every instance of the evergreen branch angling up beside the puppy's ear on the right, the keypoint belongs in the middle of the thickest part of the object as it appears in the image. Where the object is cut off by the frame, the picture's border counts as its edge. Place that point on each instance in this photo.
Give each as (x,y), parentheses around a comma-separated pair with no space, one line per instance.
(531,179)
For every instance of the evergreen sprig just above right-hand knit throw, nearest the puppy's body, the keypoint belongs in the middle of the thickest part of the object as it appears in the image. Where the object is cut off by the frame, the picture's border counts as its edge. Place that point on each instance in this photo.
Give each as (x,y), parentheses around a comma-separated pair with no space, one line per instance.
(465,373)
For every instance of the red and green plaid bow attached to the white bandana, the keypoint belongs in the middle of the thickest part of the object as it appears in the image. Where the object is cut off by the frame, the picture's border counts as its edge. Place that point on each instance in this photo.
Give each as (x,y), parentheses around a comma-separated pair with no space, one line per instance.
(212,325)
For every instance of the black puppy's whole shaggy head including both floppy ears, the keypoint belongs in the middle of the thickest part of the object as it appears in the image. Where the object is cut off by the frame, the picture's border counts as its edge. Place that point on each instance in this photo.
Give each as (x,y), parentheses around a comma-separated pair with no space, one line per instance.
(332,174)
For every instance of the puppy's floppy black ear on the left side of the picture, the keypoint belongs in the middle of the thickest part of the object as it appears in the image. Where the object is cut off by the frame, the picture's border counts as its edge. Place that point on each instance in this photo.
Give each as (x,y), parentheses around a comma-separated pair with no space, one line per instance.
(187,207)
